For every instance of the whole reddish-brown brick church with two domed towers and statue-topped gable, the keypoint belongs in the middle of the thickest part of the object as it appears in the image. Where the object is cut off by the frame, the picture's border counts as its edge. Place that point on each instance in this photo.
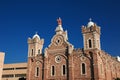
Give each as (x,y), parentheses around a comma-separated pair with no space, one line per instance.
(61,61)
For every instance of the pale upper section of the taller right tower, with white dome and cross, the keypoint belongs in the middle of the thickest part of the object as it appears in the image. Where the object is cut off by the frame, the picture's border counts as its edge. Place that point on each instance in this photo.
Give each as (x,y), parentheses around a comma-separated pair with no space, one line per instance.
(91,36)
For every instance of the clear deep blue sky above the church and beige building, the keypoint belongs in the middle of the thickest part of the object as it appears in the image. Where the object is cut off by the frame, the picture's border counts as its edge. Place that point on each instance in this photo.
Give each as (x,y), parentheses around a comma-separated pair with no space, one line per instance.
(20,19)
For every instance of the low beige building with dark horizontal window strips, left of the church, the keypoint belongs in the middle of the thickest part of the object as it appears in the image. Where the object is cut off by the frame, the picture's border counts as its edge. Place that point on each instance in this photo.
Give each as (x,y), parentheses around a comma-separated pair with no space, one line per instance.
(14,71)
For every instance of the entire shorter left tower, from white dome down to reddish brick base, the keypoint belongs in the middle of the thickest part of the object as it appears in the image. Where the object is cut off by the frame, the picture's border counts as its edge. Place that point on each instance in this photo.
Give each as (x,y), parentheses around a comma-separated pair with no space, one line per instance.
(35,58)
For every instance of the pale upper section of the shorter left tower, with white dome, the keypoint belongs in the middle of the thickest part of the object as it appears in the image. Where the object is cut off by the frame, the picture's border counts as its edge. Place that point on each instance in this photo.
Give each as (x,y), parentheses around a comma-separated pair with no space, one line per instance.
(35,45)
